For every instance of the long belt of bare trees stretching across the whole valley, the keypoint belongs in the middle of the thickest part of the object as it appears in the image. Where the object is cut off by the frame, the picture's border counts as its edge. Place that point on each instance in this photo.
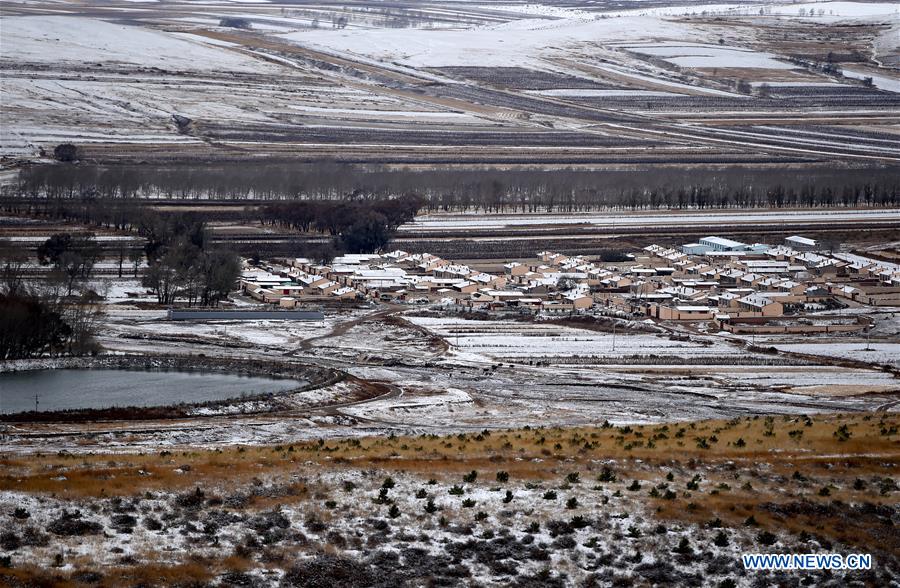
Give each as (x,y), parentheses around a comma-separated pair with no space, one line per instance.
(463,189)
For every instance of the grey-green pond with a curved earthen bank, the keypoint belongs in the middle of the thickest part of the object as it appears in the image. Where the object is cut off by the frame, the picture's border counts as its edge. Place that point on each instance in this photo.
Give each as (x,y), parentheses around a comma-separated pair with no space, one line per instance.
(103,388)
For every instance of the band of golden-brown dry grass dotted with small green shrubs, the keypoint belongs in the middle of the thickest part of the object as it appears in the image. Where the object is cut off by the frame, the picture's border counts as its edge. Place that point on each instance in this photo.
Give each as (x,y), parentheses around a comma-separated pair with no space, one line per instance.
(536,453)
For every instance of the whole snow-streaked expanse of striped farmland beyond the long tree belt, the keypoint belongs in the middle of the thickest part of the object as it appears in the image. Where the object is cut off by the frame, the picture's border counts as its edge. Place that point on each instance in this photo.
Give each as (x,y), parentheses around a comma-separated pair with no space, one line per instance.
(600,84)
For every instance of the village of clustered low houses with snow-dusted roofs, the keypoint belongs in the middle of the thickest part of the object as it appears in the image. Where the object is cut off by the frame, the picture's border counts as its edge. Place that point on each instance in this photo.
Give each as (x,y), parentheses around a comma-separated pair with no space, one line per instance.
(741,288)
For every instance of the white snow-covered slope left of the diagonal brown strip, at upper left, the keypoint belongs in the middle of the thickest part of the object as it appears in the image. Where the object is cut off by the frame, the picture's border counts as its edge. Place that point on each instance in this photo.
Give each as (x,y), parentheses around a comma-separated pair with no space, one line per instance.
(95,81)
